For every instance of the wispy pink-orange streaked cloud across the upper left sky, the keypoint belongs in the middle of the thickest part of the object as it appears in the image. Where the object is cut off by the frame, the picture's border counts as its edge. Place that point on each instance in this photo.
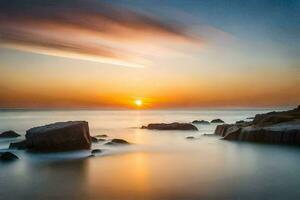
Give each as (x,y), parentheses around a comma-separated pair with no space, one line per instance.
(83,29)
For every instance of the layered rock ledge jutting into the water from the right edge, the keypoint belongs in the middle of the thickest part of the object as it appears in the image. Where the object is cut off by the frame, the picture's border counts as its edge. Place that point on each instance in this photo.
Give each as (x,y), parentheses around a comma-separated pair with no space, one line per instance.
(273,127)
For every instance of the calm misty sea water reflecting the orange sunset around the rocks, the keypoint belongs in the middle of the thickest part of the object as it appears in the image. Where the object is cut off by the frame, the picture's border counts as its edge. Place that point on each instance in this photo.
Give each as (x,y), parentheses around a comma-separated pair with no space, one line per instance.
(159,164)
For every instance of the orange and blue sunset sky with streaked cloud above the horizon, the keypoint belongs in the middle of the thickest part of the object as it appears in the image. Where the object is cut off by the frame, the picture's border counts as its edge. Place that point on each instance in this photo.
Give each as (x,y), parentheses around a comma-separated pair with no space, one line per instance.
(166,54)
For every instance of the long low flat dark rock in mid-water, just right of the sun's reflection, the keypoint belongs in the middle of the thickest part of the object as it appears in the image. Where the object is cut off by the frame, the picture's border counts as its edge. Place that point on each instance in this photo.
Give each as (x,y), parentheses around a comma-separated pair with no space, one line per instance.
(171,126)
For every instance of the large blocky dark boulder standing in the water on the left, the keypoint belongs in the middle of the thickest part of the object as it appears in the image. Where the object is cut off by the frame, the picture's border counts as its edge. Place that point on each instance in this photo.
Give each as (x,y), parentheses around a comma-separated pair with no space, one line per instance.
(60,136)
